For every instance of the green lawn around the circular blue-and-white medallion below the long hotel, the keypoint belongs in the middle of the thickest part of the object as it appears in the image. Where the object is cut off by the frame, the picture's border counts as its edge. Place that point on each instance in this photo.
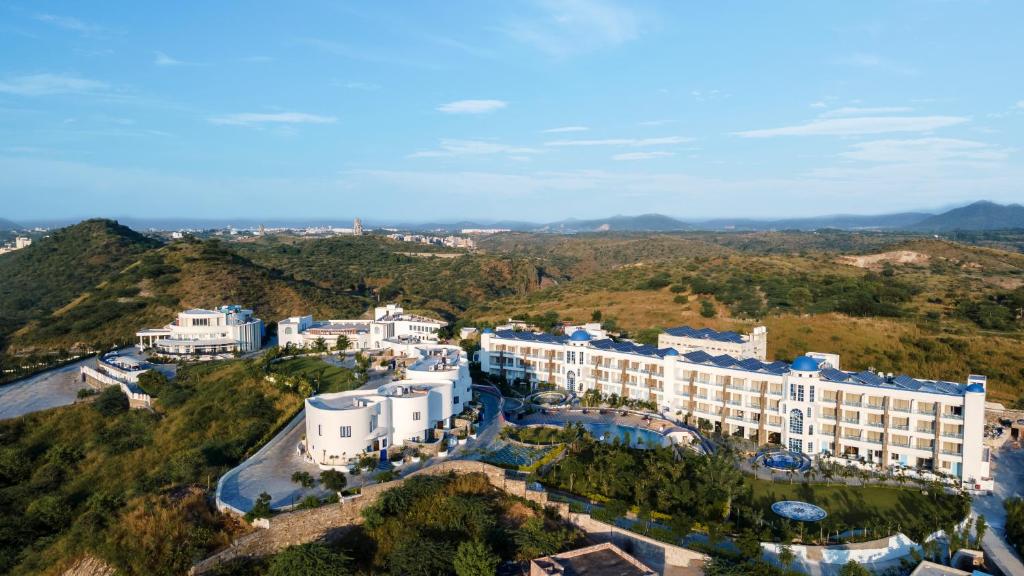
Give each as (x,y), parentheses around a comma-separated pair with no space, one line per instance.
(877,508)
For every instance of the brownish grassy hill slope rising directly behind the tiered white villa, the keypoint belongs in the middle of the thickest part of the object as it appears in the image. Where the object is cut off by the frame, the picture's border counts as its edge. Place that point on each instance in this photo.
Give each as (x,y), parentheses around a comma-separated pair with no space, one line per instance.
(203,281)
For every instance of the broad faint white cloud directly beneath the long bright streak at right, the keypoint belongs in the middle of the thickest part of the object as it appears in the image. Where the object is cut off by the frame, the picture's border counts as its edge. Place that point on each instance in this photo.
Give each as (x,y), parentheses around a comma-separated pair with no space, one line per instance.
(925,151)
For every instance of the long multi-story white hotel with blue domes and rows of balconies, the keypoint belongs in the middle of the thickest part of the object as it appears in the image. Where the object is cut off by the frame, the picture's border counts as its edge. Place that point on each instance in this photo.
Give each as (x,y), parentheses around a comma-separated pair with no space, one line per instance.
(810,406)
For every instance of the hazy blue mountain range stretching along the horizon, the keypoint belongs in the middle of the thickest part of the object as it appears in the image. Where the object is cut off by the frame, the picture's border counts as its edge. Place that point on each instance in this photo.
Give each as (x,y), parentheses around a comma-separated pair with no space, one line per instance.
(982,216)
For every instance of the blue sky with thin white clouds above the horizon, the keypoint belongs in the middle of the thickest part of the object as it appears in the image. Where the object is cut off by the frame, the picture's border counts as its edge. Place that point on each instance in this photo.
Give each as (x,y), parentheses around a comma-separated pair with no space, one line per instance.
(533,110)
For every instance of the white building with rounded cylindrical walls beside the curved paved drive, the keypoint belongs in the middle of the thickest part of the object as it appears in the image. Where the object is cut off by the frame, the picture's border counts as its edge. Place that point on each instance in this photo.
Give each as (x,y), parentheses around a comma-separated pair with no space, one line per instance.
(343,427)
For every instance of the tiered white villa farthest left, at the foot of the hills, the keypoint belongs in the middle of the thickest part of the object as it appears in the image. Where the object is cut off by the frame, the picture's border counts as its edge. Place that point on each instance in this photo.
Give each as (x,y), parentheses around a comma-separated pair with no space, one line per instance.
(206,334)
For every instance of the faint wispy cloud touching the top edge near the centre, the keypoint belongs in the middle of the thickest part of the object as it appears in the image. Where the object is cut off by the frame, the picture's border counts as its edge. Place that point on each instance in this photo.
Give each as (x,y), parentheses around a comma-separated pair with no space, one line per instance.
(569,27)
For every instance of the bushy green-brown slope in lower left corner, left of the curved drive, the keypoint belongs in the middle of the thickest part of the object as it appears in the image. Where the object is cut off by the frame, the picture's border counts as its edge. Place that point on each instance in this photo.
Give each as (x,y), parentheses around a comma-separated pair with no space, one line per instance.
(132,487)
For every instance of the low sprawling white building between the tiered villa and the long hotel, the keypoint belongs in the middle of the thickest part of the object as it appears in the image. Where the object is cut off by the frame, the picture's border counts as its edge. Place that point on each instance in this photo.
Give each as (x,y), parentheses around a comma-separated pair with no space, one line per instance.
(391,324)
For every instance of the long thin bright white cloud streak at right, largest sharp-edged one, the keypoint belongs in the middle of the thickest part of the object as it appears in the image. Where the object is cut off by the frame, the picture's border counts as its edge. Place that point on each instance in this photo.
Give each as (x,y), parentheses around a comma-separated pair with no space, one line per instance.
(857,127)
